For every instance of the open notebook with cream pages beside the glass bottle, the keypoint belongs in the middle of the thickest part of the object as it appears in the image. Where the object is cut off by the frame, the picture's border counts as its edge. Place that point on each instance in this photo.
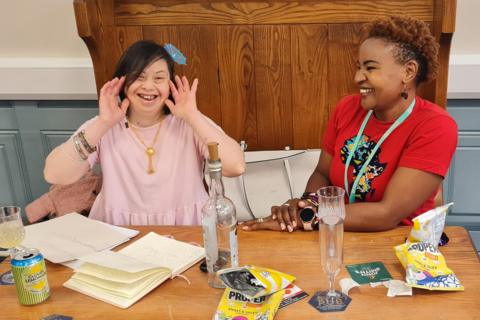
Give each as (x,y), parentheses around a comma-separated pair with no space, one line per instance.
(122,278)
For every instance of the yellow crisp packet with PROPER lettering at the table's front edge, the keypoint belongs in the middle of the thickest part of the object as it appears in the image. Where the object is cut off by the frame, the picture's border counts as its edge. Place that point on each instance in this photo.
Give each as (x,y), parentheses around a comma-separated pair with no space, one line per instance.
(235,306)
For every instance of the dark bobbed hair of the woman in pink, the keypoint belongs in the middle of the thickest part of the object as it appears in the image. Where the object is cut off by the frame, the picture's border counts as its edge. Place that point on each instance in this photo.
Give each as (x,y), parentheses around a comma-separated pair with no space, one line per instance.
(136,58)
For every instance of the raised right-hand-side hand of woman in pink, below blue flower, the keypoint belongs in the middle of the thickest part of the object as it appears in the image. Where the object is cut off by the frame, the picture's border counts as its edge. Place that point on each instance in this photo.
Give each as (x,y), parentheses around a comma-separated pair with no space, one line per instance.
(185,98)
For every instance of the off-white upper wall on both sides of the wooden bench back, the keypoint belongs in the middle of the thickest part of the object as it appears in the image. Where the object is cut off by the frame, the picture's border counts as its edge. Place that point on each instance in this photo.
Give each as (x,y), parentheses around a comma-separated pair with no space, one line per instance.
(42,34)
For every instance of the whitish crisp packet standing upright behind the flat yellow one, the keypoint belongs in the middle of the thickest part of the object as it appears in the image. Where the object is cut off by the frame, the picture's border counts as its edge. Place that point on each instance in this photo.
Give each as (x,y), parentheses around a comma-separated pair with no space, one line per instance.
(428,226)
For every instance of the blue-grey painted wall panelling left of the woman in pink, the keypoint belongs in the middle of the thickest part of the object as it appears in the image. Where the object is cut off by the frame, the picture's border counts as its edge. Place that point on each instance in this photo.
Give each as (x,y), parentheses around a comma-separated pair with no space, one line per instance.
(38,127)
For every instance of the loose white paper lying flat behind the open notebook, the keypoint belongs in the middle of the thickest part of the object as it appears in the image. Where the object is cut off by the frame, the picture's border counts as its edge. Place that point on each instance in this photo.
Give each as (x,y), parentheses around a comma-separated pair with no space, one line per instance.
(71,236)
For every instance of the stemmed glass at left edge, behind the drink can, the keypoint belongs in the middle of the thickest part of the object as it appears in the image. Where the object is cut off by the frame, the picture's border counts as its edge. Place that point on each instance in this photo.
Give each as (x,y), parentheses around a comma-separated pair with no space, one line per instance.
(12,232)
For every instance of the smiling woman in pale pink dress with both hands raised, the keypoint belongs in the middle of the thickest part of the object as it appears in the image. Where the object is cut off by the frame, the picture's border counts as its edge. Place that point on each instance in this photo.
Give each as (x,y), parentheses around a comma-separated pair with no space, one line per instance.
(150,139)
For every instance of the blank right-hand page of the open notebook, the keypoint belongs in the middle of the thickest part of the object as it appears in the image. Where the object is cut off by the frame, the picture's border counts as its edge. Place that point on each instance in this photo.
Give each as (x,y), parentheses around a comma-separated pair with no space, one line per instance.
(165,252)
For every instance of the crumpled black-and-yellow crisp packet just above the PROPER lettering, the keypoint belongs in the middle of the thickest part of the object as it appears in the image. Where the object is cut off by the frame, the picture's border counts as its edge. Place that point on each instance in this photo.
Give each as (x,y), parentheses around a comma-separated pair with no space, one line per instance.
(253,281)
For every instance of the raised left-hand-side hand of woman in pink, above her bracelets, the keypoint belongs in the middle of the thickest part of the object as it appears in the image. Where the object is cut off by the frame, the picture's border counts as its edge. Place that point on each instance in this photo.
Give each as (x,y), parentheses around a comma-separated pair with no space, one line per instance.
(111,111)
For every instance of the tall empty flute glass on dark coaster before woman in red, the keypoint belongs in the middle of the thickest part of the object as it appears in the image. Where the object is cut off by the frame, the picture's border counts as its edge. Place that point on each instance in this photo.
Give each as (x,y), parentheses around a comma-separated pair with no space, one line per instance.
(331,214)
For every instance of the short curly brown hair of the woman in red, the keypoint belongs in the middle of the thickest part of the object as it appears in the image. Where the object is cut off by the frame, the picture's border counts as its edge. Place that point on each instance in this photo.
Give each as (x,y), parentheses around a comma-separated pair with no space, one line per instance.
(413,41)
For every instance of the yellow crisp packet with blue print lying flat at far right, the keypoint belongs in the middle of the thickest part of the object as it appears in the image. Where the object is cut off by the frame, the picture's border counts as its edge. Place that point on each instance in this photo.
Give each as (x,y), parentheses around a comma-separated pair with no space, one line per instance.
(426,267)
